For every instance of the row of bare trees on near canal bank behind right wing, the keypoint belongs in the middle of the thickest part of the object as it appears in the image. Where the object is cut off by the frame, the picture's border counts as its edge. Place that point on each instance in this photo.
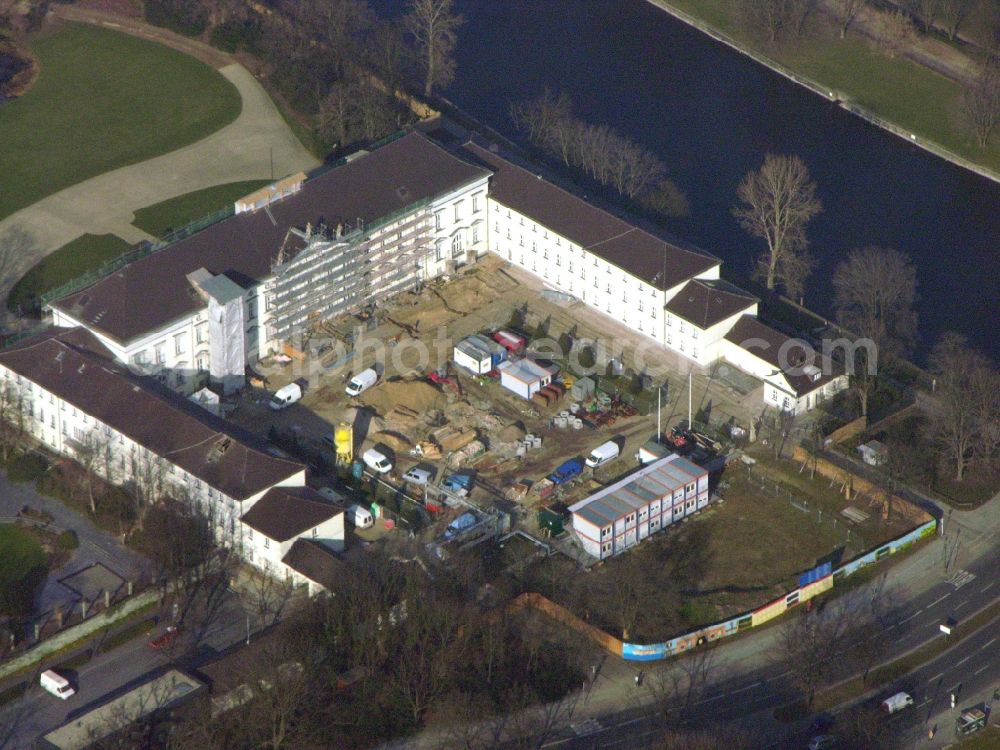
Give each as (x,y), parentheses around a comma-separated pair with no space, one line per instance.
(603,154)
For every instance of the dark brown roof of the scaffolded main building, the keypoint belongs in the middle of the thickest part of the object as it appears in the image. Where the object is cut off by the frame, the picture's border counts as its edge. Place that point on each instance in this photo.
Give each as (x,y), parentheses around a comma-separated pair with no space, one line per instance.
(154,290)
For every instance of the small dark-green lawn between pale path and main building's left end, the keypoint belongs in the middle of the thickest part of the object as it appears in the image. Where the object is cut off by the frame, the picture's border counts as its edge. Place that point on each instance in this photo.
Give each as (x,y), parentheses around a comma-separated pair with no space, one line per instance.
(73,259)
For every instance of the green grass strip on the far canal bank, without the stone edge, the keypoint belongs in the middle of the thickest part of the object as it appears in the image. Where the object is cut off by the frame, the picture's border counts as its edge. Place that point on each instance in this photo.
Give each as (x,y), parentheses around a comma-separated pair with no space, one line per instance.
(895,89)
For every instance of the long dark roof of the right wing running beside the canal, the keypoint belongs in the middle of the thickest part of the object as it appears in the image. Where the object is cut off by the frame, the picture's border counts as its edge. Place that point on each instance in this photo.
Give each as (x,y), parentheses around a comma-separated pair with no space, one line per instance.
(654,260)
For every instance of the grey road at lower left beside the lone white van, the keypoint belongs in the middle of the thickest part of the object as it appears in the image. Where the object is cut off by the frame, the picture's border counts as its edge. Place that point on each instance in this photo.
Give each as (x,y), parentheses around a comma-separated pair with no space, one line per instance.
(110,674)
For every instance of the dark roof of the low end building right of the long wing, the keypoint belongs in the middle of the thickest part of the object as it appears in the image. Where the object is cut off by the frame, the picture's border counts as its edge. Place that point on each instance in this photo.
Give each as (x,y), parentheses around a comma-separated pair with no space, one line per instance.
(785,355)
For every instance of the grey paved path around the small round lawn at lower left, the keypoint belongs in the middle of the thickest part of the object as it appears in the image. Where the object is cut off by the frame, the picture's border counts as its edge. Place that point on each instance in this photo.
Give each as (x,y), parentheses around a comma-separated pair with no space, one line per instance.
(96,545)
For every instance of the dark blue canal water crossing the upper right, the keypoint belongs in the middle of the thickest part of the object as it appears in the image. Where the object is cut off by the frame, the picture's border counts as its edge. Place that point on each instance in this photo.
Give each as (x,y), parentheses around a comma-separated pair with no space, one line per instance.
(711,114)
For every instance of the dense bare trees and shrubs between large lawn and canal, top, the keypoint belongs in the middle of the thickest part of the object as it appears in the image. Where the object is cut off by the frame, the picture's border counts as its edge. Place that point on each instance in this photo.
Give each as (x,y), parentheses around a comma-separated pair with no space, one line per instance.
(335,61)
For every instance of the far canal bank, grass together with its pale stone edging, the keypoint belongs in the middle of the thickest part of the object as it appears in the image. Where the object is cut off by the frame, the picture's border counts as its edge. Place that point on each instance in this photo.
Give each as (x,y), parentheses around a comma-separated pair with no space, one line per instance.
(893,93)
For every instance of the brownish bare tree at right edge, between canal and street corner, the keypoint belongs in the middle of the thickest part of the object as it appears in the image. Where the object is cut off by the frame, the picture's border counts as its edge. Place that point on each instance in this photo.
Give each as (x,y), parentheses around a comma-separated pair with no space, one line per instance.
(958,372)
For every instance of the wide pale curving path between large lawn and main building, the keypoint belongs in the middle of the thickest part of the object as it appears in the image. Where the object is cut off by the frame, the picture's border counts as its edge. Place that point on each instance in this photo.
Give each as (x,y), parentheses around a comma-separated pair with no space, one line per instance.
(242,150)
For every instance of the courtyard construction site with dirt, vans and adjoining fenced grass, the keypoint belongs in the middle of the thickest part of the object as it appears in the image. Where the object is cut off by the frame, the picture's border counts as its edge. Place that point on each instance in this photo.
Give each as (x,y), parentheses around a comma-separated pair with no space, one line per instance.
(493,457)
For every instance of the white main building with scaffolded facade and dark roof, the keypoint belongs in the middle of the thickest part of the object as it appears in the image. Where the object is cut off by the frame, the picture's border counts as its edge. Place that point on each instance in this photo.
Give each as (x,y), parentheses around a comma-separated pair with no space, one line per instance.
(154,314)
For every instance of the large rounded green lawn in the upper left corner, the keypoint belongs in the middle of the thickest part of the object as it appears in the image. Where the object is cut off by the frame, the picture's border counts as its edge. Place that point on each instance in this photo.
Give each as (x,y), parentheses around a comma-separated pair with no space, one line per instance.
(103,100)
